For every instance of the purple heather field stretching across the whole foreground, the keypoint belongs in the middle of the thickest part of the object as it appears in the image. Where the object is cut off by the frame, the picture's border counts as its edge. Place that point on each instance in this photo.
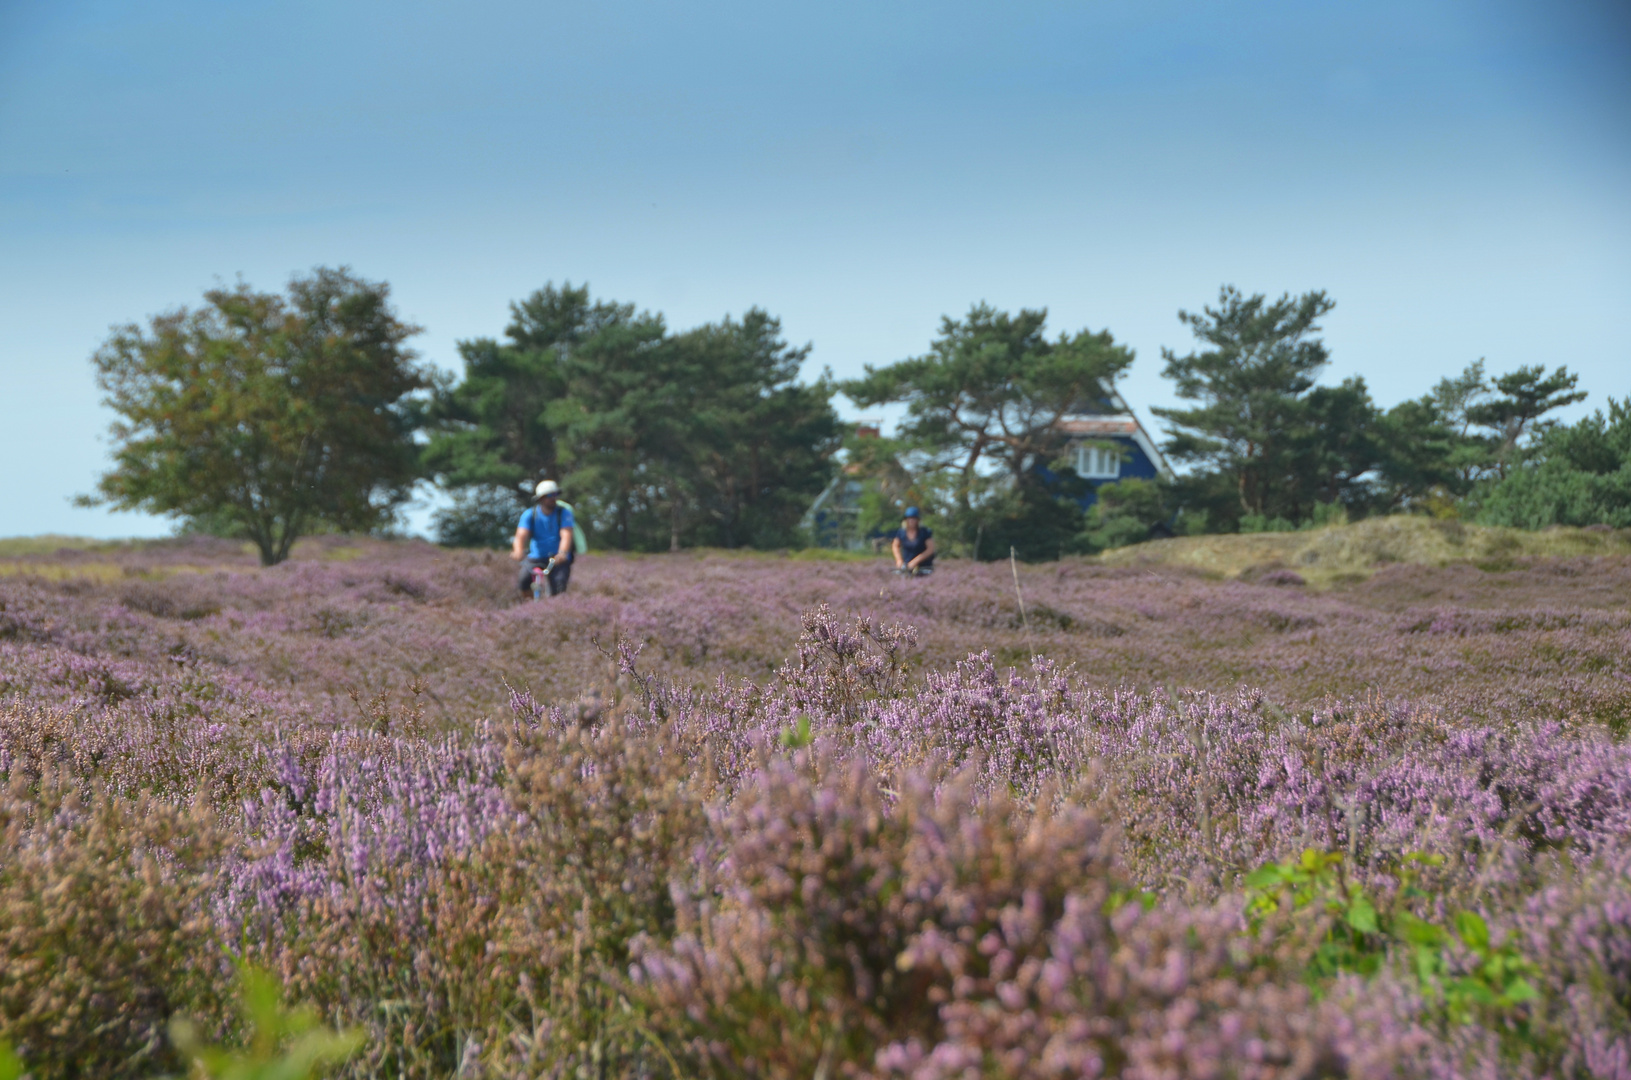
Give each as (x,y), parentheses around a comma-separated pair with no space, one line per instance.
(720,815)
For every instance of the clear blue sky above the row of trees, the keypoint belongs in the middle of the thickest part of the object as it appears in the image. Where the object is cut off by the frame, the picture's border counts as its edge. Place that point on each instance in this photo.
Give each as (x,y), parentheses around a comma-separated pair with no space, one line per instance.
(1456,174)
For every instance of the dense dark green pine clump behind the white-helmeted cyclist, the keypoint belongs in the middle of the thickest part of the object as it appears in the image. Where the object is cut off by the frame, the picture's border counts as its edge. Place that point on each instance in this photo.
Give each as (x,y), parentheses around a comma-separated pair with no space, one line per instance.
(665,440)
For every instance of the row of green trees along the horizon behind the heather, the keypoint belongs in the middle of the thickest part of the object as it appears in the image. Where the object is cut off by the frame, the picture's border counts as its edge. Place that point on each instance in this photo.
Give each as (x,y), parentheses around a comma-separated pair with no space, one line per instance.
(270,417)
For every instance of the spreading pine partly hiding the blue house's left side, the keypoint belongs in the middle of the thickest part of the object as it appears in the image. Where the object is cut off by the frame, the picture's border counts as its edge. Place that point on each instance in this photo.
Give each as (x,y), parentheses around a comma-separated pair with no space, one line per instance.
(989,399)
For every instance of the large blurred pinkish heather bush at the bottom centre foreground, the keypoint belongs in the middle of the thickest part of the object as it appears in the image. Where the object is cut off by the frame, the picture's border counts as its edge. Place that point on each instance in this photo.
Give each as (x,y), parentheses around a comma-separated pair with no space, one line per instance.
(952,936)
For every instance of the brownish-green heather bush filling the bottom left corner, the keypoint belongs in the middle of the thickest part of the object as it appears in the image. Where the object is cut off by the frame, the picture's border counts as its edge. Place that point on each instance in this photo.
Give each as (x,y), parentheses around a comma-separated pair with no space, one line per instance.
(105,929)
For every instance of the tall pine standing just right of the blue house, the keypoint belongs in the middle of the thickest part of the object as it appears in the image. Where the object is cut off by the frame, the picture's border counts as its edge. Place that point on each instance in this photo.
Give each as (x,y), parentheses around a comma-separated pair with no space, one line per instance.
(1252,386)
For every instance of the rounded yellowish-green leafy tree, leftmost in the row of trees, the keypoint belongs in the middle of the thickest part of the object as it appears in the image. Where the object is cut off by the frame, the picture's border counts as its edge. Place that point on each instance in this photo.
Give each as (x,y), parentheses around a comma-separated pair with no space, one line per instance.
(267,417)
